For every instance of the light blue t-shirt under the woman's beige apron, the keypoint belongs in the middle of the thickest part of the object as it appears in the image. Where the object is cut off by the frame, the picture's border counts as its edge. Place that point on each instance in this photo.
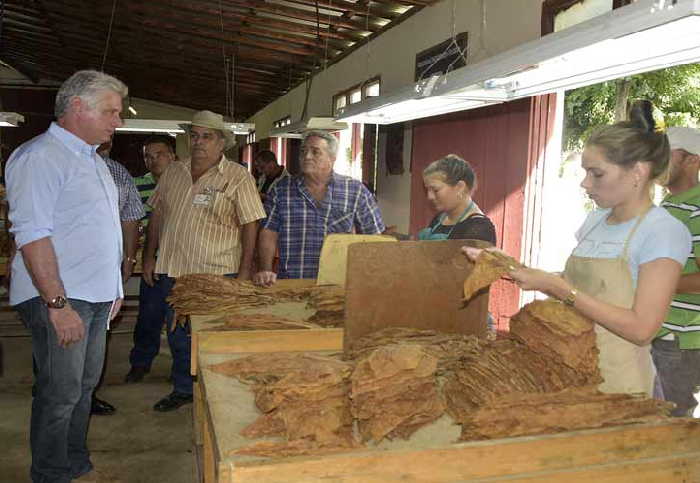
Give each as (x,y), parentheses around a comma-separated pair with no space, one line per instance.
(659,235)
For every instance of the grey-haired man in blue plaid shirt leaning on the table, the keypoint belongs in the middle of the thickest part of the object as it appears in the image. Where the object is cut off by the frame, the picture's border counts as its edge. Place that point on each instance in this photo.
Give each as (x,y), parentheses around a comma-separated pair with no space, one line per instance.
(302,210)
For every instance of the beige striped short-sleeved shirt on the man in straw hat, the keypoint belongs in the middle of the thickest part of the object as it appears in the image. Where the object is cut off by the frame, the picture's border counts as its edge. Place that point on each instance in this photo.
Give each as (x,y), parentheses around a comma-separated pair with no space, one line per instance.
(200,222)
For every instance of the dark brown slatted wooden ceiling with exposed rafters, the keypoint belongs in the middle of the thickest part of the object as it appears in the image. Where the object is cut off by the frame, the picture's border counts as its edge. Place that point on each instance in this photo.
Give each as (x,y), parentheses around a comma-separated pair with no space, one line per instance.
(174,50)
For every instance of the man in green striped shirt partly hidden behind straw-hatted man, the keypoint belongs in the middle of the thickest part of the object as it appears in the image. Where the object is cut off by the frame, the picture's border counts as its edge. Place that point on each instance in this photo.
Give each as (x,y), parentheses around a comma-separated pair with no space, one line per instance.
(159,152)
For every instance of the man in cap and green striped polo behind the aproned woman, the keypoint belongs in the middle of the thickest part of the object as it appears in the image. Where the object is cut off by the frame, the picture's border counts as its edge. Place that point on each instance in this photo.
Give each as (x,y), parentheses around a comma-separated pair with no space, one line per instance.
(676,349)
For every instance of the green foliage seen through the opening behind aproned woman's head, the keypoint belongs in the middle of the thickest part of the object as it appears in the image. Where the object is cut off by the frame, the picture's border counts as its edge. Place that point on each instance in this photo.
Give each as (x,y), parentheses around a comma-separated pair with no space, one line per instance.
(675,92)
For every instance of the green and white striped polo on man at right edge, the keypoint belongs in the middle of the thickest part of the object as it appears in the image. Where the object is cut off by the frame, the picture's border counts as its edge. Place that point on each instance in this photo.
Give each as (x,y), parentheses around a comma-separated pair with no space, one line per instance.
(683,319)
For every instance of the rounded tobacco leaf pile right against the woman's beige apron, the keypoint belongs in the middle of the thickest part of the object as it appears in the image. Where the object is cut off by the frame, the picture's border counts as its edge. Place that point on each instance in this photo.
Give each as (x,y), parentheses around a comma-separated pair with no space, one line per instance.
(555,330)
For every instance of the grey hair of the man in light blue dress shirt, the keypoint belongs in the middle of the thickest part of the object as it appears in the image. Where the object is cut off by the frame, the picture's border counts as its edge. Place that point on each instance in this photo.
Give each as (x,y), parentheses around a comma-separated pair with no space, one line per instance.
(87,85)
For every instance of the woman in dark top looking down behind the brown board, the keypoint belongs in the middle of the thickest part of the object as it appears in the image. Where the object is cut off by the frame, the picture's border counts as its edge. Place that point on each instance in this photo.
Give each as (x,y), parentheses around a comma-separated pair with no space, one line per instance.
(449,184)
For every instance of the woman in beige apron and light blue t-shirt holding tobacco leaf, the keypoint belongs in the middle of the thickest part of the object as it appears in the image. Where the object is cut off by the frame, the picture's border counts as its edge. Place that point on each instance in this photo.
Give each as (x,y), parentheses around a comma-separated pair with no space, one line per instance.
(624,271)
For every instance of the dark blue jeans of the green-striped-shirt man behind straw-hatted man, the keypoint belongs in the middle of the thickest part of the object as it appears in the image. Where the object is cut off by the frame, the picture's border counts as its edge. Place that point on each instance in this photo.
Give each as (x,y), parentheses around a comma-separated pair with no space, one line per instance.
(153,311)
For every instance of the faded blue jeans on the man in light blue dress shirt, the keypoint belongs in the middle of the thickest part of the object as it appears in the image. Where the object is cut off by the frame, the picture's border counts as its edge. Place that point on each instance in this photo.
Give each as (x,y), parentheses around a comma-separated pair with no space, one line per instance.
(65,380)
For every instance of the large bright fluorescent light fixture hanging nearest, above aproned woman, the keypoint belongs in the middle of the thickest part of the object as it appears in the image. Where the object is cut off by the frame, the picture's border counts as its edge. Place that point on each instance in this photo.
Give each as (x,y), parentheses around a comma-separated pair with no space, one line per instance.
(641,37)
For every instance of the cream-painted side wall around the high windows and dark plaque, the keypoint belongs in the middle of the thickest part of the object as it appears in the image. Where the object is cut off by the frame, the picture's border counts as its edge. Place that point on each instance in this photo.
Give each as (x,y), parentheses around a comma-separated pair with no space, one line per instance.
(392,56)
